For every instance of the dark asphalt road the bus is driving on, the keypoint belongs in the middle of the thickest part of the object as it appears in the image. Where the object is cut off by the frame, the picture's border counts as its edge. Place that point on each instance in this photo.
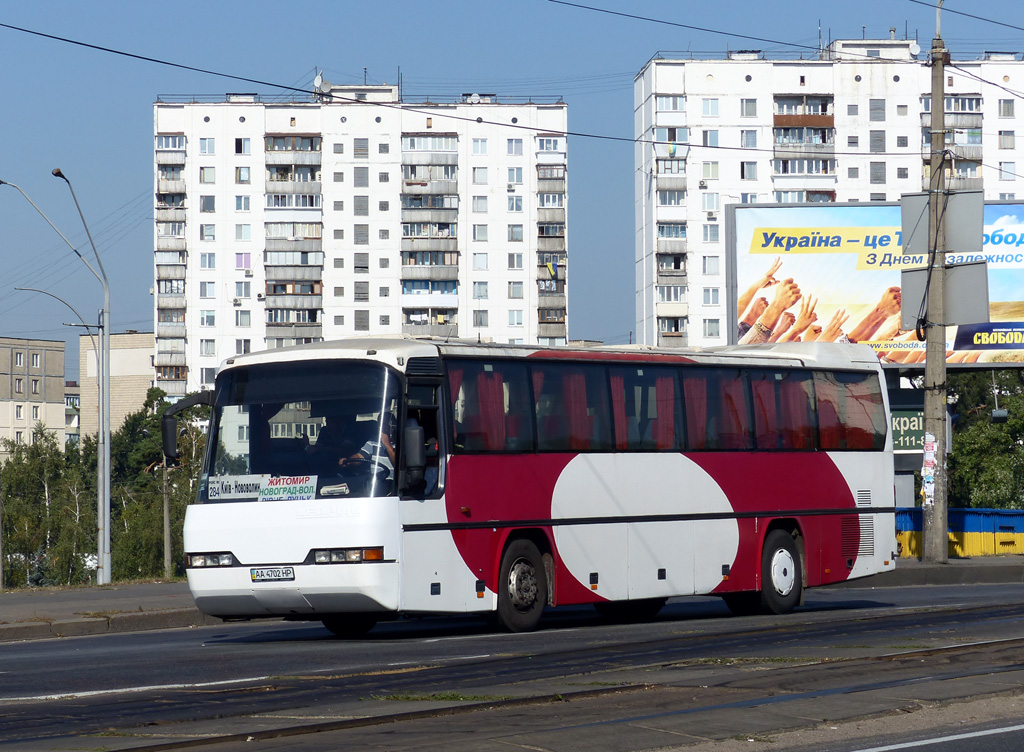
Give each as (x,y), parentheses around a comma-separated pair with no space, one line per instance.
(694,675)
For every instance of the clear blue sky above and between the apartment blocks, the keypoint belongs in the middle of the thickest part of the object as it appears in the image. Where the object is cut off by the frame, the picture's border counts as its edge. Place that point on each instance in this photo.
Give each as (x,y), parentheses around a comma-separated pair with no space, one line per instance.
(91,113)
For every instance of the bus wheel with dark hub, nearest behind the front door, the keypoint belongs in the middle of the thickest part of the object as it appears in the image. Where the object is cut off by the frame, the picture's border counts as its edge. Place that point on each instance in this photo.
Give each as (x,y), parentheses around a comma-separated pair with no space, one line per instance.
(523,588)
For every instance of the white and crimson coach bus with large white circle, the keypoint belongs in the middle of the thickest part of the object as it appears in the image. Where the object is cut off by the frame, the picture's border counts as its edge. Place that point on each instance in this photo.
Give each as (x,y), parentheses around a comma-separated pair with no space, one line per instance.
(368,479)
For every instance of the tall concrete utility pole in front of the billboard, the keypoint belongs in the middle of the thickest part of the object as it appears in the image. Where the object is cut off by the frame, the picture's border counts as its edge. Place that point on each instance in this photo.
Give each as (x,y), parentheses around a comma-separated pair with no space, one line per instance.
(934,510)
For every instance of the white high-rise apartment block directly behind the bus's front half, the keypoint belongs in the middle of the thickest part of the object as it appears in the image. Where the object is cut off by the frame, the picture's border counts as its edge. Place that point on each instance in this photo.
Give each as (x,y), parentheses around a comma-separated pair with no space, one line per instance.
(355,213)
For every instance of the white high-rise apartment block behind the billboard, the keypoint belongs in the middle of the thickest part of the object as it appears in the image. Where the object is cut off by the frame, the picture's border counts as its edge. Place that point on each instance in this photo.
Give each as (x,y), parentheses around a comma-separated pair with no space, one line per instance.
(852,124)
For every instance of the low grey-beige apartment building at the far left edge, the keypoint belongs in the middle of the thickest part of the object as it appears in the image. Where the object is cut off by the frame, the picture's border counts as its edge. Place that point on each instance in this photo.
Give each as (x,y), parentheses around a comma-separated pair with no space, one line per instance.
(32,389)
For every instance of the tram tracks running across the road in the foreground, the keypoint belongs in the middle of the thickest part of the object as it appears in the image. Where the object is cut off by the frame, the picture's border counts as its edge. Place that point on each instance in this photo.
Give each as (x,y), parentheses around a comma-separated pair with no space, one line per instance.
(665,663)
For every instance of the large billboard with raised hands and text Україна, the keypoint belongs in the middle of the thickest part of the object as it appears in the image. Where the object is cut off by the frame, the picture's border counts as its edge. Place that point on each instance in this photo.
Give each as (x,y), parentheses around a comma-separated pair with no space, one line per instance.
(832,272)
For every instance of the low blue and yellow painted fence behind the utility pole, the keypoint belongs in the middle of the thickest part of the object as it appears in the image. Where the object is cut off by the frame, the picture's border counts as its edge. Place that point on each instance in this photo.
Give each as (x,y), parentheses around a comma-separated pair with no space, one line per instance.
(972,532)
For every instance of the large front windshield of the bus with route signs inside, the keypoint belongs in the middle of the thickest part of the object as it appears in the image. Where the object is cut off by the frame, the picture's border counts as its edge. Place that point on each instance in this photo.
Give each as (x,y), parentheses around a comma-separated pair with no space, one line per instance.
(323,430)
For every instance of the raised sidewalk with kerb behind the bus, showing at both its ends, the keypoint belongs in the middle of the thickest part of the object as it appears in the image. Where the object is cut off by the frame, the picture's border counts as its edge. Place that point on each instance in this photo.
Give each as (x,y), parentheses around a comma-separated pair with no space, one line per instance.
(47,613)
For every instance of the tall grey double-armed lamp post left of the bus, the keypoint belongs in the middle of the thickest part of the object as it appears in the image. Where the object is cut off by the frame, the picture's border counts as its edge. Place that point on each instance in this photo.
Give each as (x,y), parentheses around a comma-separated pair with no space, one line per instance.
(104,452)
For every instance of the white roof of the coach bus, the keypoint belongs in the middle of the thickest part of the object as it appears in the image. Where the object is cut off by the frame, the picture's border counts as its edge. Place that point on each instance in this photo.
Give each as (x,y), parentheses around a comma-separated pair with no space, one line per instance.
(397,350)
